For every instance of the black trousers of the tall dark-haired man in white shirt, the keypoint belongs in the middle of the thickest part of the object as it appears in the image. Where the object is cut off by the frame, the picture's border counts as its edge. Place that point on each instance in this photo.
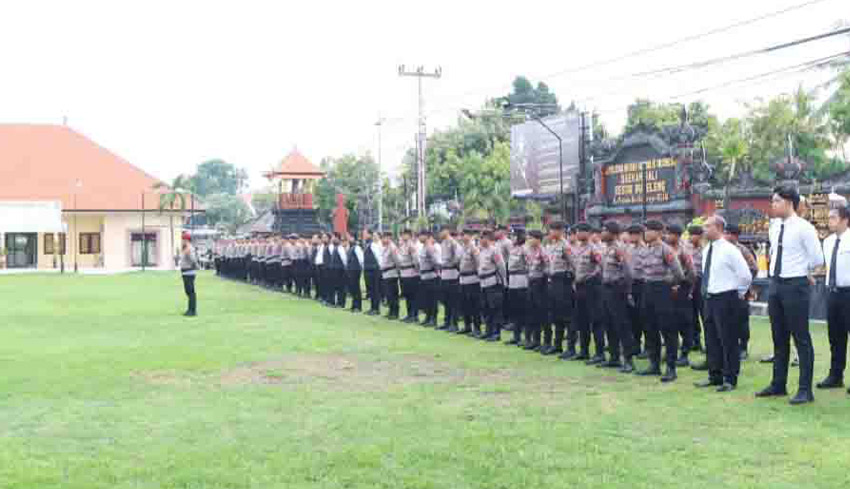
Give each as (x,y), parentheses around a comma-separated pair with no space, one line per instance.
(788,306)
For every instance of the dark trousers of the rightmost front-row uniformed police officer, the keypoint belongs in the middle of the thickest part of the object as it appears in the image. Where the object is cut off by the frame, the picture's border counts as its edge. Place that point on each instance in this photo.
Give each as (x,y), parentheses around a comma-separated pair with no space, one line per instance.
(656,312)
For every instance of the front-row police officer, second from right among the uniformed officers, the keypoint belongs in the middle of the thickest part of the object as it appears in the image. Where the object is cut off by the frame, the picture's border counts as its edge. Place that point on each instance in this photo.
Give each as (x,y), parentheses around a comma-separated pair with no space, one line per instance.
(616,285)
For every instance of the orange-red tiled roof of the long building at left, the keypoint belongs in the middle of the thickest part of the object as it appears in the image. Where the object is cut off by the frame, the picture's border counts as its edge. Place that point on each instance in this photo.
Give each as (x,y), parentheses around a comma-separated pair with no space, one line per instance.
(45,162)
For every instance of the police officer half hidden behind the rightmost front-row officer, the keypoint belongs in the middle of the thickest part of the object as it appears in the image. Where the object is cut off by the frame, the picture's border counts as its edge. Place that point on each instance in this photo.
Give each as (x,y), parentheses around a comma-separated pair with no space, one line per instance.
(682,291)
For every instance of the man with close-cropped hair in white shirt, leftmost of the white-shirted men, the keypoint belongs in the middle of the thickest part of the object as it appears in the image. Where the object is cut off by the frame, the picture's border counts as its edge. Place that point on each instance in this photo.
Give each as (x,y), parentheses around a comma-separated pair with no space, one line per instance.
(725,278)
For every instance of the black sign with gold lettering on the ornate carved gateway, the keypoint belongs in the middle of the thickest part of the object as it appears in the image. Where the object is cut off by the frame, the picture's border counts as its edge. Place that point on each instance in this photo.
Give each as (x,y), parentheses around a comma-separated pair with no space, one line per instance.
(624,182)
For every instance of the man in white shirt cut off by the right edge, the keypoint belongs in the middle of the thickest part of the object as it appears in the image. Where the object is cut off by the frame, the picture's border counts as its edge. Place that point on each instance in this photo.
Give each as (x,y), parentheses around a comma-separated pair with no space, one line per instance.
(836,250)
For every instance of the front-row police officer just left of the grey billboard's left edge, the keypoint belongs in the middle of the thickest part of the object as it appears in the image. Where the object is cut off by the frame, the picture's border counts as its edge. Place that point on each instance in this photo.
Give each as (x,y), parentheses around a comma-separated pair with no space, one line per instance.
(492,276)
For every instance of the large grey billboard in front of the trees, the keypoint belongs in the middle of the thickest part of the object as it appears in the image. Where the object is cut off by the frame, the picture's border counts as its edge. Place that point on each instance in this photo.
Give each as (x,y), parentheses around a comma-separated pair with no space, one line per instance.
(535,166)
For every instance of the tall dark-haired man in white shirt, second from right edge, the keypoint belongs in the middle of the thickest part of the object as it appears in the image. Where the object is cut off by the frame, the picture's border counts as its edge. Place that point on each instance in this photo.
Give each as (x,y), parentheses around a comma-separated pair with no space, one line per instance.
(795,252)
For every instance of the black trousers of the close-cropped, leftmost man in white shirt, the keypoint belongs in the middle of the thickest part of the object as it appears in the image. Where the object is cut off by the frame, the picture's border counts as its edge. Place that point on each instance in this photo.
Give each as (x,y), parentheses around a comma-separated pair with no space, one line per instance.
(722,337)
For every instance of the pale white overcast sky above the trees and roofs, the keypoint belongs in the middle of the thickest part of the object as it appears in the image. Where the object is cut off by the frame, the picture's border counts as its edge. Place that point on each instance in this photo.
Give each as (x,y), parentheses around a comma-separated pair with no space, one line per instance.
(168,85)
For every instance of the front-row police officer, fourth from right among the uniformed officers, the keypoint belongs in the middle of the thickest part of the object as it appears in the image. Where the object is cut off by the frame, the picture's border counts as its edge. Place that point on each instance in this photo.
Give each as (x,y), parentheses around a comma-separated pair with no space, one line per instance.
(560,292)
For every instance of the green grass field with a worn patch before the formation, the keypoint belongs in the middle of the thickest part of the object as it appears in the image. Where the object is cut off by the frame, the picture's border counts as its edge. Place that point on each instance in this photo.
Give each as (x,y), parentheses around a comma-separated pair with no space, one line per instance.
(104,385)
